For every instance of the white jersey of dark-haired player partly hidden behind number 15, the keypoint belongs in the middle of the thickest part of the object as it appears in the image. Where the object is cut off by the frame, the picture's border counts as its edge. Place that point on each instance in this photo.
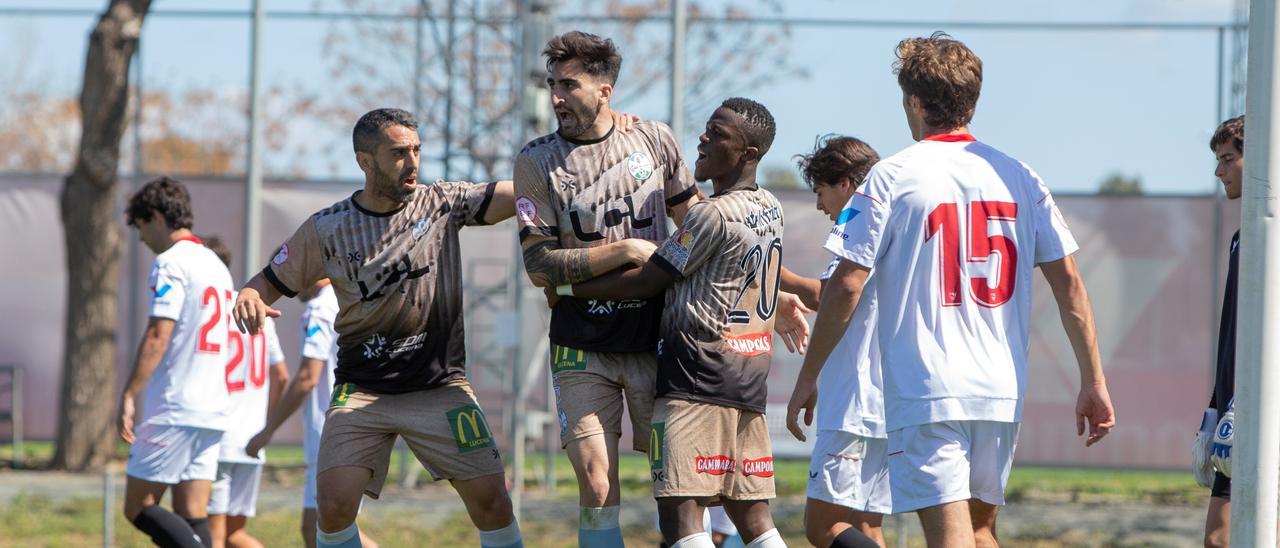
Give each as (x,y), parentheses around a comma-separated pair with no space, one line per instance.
(851,389)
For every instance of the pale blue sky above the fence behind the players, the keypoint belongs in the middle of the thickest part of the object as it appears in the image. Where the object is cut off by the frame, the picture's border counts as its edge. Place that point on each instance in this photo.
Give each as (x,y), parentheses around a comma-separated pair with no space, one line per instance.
(1077,106)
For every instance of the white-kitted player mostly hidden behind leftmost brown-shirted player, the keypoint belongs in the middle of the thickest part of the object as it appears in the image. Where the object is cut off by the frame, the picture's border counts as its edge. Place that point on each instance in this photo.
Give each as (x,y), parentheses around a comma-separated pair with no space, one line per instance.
(310,390)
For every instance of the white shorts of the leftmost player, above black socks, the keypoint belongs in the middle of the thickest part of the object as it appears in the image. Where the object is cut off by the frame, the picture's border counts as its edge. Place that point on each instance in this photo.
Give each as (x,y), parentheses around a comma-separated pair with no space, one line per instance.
(171,455)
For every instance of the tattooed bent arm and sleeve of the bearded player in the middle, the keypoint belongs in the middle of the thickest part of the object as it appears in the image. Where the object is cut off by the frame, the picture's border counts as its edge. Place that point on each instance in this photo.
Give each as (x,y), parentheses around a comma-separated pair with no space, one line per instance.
(547,264)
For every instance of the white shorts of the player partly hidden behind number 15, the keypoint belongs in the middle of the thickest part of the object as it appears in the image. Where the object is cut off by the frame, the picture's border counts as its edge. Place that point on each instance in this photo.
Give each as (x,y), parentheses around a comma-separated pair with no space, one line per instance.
(851,471)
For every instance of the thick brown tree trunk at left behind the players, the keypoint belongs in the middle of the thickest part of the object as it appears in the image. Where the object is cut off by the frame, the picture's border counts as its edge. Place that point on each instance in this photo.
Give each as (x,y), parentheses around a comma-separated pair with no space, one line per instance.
(85,433)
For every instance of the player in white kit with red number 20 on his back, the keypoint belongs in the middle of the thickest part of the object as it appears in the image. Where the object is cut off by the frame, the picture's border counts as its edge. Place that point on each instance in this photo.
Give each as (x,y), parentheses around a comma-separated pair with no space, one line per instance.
(255,378)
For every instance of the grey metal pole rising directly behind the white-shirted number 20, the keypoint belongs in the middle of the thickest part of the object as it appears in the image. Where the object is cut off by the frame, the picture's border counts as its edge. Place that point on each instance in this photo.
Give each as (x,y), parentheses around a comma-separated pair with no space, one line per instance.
(254,184)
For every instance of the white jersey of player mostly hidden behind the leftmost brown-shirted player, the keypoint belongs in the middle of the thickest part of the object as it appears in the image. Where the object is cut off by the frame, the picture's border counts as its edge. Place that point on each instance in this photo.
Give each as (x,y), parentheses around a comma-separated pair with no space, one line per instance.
(319,342)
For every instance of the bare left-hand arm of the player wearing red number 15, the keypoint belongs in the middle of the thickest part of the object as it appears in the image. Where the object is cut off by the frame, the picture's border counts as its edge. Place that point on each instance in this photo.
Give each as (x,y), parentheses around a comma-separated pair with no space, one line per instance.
(835,309)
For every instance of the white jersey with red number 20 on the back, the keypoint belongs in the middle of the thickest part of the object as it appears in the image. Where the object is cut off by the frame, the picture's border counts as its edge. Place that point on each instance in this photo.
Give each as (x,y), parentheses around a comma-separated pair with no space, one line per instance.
(249,382)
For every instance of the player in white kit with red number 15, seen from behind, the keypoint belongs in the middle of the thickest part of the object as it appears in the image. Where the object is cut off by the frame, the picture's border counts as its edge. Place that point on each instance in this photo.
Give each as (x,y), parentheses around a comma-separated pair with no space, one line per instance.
(953,230)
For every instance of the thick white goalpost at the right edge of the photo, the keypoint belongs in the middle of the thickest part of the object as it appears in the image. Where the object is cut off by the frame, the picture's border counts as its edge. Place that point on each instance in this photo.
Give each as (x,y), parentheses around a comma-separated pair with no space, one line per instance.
(1256,453)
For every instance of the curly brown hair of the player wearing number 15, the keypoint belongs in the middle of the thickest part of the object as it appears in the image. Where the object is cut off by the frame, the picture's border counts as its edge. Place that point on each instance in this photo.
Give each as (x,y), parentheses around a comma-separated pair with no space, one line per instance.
(944,75)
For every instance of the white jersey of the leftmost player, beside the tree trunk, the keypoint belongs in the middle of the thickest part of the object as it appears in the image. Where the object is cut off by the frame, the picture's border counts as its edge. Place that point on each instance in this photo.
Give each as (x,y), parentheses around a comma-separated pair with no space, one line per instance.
(193,287)
